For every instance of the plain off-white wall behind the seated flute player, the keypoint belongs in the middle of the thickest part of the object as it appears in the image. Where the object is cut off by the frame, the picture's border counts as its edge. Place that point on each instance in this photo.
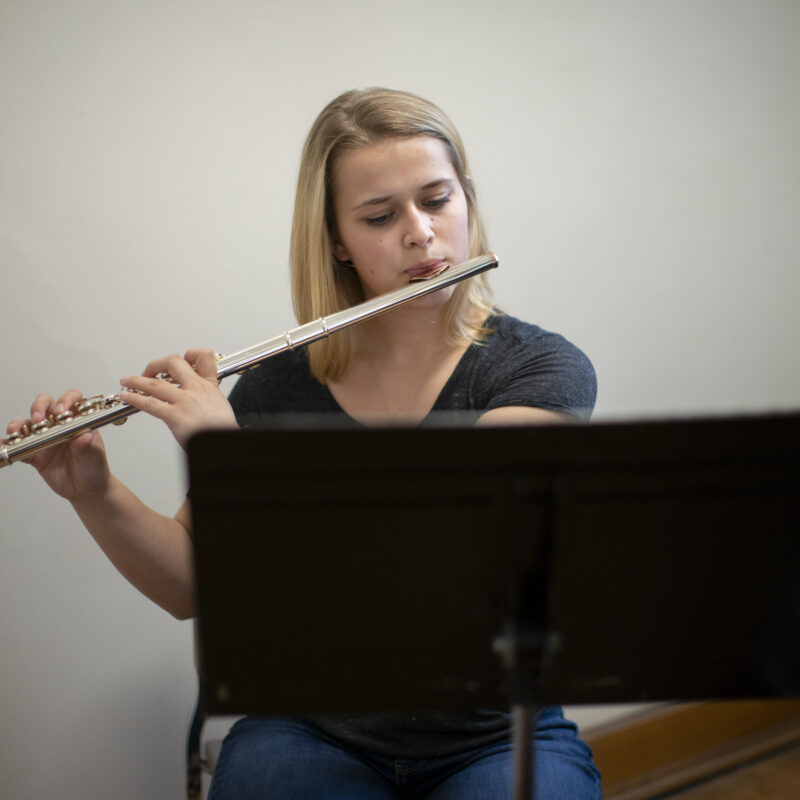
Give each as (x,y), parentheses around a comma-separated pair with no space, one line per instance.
(638,166)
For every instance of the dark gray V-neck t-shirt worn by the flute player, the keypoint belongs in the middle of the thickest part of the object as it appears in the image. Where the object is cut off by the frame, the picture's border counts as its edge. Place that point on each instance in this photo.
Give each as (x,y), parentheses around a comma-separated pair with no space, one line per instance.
(518,365)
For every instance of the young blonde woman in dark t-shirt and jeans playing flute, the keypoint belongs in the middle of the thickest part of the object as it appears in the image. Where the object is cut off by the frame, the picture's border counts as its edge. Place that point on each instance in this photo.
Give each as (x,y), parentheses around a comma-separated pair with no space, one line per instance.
(384,196)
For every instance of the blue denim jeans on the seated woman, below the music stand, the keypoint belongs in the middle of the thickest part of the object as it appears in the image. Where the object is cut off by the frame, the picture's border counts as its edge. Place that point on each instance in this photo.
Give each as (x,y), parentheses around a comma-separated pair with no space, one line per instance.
(276,757)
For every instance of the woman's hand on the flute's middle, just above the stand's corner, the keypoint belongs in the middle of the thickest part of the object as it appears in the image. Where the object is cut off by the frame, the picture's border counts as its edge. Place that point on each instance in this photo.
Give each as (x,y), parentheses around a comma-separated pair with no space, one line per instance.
(191,401)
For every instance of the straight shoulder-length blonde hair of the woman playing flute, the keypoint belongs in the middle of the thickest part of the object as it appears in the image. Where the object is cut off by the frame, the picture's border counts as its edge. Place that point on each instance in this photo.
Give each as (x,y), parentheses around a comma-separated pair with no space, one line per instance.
(320,283)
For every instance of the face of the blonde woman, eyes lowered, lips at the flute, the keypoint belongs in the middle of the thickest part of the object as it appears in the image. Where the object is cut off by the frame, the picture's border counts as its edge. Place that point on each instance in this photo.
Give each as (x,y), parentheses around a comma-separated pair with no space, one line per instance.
(400,213)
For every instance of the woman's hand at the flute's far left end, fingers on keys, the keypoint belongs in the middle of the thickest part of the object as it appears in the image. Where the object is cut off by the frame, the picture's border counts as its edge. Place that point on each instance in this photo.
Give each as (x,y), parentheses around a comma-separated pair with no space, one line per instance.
(75,469)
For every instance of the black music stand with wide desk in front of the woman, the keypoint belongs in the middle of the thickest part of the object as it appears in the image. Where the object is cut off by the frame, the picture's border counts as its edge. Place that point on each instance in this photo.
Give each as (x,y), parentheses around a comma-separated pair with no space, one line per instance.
(396,569)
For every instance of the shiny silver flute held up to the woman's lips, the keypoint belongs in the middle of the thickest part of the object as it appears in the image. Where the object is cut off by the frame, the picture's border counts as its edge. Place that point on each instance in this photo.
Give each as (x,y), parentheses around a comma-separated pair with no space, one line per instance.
(94,412)
